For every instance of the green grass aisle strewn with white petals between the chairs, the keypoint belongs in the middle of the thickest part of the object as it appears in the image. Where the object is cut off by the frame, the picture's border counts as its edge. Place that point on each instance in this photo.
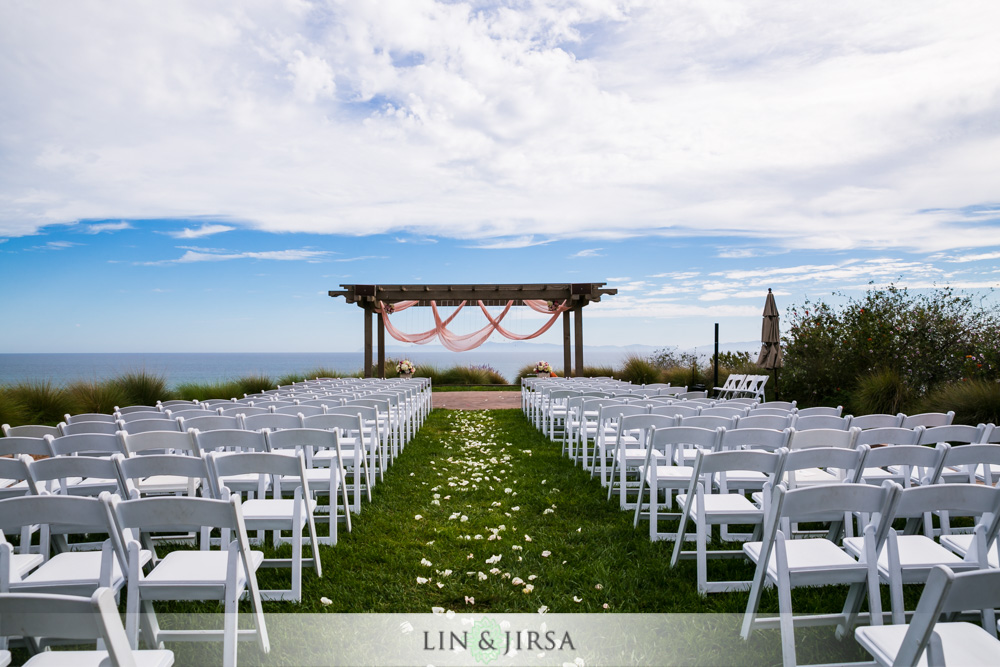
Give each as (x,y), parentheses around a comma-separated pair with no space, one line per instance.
(482,514)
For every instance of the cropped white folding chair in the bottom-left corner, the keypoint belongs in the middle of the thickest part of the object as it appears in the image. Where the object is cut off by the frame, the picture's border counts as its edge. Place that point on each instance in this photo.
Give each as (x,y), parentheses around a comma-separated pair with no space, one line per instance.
(70,617)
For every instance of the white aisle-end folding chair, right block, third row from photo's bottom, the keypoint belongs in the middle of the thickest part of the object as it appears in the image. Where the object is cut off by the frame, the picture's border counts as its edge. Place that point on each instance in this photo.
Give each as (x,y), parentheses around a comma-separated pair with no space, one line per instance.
(706,507)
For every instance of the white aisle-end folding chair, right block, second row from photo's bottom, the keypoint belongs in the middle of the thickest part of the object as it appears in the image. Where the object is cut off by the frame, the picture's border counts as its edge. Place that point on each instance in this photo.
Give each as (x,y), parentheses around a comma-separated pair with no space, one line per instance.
(788,563)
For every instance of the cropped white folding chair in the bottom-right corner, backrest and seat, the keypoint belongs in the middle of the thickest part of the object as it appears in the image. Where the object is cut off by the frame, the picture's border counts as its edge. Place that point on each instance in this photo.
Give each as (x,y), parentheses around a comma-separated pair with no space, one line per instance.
(926,640)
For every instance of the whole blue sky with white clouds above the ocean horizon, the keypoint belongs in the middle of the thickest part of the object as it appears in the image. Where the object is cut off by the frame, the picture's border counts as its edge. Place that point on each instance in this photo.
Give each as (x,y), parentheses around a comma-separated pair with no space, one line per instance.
(194,176)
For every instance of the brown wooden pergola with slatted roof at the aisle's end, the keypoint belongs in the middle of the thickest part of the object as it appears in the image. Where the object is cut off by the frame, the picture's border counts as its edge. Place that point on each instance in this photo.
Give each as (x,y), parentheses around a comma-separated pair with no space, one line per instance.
(576,296)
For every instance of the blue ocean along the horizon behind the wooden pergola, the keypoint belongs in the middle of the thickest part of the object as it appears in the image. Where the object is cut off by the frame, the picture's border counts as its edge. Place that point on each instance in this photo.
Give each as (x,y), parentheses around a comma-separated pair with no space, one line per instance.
(179,368)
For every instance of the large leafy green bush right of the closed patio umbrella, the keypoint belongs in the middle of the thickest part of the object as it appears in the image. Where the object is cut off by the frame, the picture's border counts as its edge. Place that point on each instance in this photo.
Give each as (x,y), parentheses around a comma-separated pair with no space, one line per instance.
(926,339)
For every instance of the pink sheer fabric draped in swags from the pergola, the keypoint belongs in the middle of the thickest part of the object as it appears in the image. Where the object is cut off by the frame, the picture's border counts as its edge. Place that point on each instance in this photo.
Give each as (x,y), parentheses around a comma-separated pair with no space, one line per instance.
(464,342)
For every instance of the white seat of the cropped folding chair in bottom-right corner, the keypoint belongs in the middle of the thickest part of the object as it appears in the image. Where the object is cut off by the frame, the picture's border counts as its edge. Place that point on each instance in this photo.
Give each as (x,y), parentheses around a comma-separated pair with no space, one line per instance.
(964,644)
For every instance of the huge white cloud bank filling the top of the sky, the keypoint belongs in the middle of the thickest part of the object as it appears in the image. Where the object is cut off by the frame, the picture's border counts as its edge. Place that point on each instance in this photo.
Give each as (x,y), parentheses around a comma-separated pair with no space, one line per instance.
(790,126)
